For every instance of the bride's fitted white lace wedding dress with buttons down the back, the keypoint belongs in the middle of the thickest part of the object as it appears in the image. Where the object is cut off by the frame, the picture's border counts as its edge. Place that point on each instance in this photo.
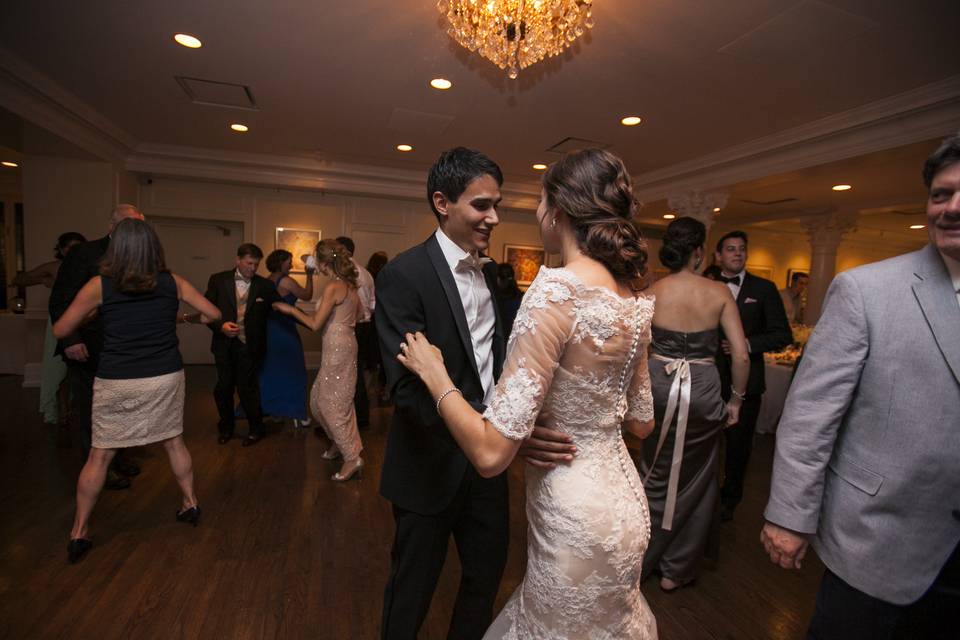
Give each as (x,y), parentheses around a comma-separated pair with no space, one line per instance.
(577,355)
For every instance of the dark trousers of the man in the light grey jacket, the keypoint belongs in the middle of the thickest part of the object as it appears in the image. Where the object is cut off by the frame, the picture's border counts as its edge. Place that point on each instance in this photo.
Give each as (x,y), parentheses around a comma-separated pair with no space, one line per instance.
(845,613)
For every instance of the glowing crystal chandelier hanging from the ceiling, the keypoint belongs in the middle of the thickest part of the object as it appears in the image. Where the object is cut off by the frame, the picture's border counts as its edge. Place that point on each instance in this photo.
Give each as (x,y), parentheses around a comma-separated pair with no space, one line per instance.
(514,34)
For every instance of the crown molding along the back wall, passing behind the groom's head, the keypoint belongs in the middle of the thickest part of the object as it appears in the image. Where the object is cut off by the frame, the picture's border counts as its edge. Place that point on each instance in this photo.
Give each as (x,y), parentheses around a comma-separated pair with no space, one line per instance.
(298,173)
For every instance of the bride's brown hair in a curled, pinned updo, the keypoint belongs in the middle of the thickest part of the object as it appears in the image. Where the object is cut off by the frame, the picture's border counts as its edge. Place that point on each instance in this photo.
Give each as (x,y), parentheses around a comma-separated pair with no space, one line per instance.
(593,189)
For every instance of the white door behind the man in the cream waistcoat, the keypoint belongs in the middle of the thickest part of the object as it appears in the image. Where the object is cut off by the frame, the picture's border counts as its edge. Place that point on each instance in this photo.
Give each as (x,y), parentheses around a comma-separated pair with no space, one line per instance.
(195,249)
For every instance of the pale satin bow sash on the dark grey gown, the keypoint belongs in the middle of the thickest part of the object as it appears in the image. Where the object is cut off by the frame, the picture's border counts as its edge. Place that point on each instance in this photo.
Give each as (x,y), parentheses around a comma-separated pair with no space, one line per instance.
(679,368)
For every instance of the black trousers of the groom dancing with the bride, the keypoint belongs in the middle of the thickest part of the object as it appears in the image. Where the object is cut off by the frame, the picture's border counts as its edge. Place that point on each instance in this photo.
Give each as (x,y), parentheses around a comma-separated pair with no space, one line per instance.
(478,518)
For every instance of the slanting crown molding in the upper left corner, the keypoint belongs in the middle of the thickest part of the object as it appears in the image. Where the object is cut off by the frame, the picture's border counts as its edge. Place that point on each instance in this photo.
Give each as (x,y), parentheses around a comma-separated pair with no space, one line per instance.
(35,97)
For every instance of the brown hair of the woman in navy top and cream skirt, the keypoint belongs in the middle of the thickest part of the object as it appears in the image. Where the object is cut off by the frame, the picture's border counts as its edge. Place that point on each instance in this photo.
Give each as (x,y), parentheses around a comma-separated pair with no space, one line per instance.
(134,258)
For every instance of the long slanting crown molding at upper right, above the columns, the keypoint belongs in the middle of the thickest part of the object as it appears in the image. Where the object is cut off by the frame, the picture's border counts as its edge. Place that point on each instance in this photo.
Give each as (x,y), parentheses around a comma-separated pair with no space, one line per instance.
(927,112)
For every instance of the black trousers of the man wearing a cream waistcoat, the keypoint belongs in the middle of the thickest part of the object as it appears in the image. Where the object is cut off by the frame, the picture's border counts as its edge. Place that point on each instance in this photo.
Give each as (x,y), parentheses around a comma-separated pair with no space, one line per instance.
(236,370)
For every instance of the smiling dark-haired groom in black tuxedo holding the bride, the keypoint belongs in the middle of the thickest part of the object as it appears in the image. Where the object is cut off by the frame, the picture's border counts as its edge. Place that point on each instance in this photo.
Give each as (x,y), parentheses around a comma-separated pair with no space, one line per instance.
(444,288)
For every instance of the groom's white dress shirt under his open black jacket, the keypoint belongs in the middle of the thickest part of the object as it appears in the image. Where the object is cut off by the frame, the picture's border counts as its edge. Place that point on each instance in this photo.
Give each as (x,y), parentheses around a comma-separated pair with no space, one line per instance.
(477,306)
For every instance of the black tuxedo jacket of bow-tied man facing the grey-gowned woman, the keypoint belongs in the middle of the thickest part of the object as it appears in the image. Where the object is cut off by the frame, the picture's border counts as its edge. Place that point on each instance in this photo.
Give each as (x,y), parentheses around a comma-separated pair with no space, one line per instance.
(765,326)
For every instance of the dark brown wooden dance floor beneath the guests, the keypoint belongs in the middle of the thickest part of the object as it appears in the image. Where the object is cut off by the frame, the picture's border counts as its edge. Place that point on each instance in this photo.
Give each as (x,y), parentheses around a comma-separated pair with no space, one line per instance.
(283,551)
